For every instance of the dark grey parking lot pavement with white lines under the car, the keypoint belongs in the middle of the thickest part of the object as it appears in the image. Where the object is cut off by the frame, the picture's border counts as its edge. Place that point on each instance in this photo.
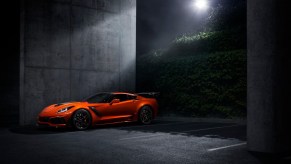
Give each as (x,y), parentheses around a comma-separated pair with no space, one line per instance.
(165,141)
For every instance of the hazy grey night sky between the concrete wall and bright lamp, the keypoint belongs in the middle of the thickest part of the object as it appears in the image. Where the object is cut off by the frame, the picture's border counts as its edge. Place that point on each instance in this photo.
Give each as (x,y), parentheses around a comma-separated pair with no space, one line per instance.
(160,21)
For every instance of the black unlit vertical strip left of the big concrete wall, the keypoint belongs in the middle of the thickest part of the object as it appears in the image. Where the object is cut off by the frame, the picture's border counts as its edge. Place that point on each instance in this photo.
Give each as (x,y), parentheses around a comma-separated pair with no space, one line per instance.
(9,63)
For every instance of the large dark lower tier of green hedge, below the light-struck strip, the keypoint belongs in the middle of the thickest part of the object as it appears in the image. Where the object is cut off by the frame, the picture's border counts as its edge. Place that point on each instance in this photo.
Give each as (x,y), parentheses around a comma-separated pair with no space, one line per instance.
(201,85)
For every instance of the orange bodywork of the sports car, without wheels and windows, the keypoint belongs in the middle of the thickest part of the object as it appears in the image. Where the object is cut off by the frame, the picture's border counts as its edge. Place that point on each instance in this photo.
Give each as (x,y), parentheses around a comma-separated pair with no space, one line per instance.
(101,113)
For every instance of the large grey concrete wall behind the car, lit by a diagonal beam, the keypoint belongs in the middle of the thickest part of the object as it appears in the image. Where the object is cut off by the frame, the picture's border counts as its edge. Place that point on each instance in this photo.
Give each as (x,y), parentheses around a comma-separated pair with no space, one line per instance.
(71,49)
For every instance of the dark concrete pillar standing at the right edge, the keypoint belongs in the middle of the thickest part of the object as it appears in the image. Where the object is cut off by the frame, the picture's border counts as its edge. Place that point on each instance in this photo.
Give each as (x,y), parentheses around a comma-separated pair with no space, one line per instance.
(269,74)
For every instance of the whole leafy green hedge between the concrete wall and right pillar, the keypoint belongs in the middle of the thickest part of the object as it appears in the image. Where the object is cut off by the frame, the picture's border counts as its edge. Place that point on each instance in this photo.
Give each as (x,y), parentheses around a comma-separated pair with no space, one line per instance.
(197,75)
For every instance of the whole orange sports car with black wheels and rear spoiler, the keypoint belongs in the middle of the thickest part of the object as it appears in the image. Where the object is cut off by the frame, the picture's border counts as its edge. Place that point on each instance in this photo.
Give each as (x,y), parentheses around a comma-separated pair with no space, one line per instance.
(101,108)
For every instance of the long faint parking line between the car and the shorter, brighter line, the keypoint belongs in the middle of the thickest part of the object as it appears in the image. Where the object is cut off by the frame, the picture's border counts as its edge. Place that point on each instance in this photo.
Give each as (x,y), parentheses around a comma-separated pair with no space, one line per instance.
(182,132)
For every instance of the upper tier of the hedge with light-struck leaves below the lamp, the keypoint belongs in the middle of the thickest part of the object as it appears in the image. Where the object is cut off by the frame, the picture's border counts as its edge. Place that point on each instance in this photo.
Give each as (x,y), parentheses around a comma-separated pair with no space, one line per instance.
(208,42)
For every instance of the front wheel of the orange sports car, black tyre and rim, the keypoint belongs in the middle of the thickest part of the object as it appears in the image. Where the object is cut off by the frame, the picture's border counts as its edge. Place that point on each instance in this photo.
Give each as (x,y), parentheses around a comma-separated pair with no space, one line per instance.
(81,119)
